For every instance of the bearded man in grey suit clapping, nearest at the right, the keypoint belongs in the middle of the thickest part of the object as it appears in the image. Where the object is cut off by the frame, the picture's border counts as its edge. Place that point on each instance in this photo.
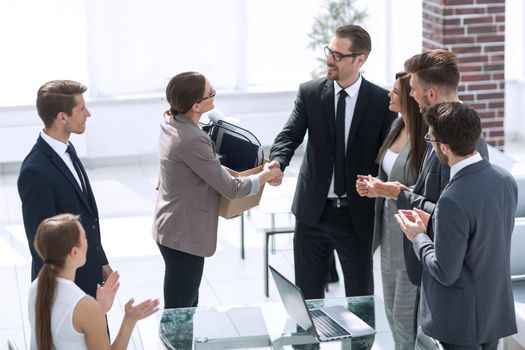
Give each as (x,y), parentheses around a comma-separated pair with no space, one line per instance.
(466,298)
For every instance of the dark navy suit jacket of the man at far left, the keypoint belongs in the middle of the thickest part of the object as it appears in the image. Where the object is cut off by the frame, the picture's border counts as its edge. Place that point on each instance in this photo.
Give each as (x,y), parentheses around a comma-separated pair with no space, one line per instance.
(47,187)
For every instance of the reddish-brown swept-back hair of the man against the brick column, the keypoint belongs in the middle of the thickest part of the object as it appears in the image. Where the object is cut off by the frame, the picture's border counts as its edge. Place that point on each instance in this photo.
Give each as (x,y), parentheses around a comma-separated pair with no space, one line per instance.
(436,67)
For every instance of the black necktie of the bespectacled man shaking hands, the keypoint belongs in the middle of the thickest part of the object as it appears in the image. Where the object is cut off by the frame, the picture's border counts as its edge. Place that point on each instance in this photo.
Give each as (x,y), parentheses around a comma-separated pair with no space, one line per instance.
(339,170)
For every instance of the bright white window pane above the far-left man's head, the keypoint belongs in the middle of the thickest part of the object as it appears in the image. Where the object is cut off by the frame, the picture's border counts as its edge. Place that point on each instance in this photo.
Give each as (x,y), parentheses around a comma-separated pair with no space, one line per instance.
(41,41)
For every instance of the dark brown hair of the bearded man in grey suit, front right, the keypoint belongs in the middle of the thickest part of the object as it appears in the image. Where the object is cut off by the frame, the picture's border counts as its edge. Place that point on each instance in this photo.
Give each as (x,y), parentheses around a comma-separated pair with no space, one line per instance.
(456,125)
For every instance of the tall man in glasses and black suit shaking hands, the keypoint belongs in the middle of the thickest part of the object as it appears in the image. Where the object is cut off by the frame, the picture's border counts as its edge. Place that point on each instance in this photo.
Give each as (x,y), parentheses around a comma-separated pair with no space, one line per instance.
(346,118)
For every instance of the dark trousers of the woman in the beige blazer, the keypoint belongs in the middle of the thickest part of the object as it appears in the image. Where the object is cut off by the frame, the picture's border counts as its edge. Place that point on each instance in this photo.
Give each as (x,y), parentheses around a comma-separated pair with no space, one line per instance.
(182,278)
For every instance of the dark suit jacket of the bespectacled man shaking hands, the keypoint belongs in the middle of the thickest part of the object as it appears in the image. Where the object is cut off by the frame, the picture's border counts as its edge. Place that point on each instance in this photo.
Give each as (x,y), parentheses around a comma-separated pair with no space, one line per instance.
(315,112)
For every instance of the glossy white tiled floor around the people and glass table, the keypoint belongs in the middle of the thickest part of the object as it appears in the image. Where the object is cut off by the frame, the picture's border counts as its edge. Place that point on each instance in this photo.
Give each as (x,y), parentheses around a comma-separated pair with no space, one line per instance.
(125,196)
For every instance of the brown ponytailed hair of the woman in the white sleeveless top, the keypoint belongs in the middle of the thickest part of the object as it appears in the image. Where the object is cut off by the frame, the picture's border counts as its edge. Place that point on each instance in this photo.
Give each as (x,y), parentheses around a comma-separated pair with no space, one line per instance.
(55,237)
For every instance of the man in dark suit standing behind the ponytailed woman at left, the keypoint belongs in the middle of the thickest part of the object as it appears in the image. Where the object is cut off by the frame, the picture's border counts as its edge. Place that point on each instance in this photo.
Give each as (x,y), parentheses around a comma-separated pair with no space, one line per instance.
(53,181)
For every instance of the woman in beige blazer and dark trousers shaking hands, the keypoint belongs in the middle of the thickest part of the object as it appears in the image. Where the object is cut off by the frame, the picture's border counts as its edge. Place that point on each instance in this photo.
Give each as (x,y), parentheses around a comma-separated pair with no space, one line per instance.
(191,183)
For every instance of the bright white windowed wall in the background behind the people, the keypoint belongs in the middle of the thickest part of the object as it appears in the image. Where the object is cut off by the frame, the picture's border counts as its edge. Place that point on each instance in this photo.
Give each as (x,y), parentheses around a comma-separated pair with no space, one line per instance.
(254,52)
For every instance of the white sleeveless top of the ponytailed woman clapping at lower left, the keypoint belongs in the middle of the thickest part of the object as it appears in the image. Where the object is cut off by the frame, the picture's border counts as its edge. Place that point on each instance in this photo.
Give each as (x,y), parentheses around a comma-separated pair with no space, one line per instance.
(64,334)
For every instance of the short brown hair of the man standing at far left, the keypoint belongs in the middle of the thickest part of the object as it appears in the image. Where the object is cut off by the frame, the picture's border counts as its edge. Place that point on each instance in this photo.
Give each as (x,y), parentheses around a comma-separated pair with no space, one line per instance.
(57,96)
